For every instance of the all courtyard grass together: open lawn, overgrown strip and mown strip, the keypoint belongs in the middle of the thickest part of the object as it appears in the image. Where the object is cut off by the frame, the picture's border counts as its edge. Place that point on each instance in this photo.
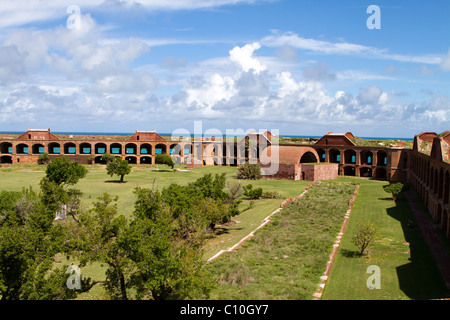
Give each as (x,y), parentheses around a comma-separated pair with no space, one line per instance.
(404,274)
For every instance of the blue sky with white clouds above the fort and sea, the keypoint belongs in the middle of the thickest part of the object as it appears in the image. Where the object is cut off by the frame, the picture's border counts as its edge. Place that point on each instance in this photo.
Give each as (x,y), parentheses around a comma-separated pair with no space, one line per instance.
(295,67)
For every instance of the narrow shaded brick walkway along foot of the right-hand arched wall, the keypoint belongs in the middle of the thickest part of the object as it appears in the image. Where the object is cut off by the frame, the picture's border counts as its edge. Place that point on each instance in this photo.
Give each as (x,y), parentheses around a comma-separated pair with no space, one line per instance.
(435,243)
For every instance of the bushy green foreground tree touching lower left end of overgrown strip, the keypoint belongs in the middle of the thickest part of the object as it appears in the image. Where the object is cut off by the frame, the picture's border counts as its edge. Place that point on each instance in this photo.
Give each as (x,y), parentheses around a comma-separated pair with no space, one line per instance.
(166,251)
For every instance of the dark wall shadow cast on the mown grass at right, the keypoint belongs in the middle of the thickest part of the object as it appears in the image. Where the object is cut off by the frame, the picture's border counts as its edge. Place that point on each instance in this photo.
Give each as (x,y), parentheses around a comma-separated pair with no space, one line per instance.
(420,278)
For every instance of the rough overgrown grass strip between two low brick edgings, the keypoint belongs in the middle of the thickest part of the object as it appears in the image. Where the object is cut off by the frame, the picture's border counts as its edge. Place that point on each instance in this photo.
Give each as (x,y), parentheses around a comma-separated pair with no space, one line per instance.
(285,259)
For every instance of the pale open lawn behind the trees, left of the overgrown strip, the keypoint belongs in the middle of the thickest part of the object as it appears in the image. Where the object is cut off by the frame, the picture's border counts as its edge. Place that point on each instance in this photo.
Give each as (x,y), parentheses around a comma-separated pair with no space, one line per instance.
(97,182)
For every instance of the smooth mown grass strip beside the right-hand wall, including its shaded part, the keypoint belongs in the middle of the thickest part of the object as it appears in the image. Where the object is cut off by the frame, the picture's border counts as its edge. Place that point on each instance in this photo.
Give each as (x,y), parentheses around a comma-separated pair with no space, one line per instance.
(407,268)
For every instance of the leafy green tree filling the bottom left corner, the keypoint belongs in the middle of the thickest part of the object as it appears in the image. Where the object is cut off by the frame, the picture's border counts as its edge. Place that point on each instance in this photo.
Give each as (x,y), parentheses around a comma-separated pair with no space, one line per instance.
(29,241)
